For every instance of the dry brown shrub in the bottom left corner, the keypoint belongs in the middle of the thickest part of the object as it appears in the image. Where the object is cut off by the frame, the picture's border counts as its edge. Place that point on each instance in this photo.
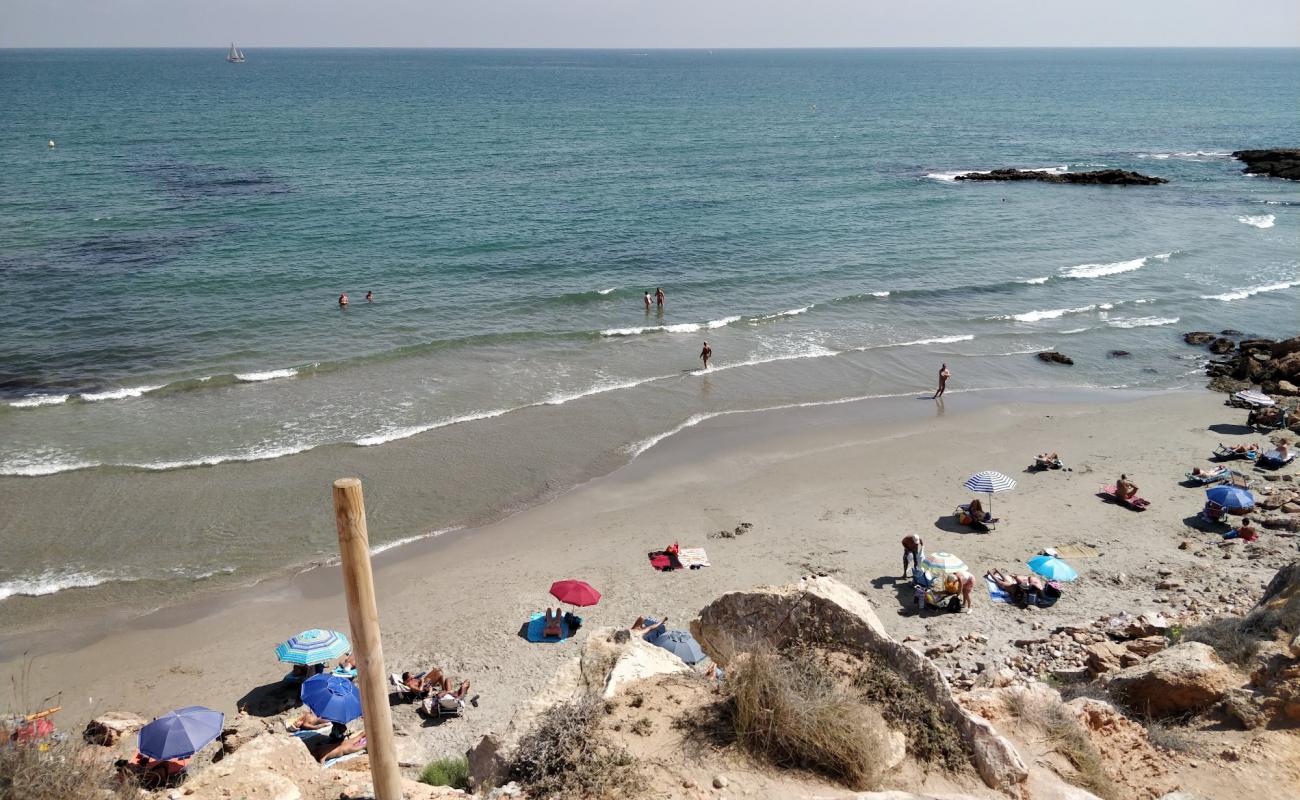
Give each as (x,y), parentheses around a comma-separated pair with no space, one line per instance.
(59,772)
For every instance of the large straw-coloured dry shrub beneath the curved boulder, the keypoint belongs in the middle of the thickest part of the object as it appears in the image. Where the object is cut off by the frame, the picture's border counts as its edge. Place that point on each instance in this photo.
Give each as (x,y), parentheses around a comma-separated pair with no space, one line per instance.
(792,712)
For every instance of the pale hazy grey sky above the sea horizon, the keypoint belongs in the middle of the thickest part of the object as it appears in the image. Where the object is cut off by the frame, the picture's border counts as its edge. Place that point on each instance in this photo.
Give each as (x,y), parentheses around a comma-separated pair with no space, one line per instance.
(648,23)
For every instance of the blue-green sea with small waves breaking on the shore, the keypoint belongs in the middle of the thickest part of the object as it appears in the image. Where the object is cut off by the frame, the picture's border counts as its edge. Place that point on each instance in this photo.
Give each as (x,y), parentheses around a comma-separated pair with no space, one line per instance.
(179,382)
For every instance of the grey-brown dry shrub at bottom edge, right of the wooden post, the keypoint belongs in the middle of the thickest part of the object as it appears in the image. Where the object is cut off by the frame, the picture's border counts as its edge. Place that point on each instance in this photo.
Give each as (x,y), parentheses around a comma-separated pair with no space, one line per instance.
(567,756)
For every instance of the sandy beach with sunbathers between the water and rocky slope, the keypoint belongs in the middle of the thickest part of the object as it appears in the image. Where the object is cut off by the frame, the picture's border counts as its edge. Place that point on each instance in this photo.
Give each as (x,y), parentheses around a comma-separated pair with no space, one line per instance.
(825,491)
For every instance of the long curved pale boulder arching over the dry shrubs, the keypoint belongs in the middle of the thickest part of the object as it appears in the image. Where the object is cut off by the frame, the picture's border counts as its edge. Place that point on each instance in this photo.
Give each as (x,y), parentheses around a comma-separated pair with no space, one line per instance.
(824,609)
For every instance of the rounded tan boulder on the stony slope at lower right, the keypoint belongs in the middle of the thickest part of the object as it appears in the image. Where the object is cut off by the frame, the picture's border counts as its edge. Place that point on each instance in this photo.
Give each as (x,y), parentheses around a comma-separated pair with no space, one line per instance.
(1185,678)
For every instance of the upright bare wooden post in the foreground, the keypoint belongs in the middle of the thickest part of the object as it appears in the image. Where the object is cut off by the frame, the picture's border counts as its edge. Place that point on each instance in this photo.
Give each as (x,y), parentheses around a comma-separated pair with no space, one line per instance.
(363,615)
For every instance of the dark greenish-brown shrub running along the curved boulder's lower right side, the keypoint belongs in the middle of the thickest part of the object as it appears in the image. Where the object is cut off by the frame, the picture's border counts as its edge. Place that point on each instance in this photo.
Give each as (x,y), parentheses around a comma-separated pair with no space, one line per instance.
(931,738)
